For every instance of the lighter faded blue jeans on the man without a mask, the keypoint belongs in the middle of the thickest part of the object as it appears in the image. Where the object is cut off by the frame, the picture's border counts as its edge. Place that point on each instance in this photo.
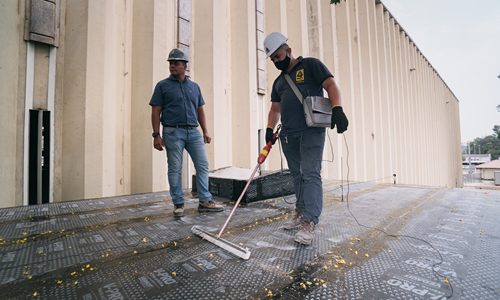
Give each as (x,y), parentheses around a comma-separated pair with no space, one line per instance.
(176,140)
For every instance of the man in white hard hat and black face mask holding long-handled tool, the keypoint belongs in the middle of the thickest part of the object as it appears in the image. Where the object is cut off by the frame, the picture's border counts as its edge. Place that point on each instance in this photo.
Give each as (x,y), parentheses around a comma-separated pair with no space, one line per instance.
(302,145)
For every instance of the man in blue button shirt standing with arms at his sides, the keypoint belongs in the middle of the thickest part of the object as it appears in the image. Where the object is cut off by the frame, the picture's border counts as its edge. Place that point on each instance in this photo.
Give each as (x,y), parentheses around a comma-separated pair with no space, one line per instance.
(178,104)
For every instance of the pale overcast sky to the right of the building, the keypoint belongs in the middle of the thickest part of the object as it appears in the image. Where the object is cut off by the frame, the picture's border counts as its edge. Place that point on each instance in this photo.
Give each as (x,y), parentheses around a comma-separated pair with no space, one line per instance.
(461,39)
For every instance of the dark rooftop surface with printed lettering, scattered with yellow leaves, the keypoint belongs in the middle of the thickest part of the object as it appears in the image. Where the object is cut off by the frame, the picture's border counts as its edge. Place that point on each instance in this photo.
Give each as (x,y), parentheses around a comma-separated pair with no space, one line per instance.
(131,247)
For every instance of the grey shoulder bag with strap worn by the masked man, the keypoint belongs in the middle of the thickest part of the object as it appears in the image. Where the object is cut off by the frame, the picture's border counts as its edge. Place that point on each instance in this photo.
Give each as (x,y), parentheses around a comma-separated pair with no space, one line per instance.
(317,110)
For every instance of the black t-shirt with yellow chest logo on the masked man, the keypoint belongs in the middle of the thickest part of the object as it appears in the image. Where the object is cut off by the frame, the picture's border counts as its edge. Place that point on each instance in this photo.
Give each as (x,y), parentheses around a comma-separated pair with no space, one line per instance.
(308,74)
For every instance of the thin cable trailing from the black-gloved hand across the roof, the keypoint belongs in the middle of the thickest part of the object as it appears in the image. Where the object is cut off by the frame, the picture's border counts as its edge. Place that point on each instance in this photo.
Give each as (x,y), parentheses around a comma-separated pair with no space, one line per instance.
(441,260)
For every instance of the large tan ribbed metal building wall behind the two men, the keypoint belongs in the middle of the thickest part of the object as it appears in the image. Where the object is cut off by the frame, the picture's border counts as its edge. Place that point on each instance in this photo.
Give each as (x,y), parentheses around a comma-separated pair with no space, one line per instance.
(98,80)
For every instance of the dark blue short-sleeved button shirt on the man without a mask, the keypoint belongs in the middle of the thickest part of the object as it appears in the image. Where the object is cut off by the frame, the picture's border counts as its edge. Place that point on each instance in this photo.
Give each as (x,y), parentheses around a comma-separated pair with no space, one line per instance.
(179,101)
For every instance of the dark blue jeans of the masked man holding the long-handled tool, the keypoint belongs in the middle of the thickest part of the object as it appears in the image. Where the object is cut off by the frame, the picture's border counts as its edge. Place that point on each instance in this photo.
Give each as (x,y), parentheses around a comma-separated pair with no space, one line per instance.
(304,153)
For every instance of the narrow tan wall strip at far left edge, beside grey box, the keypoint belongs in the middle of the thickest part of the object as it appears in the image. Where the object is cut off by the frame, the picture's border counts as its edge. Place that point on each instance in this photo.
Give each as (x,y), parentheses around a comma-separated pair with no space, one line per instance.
(12,75)
